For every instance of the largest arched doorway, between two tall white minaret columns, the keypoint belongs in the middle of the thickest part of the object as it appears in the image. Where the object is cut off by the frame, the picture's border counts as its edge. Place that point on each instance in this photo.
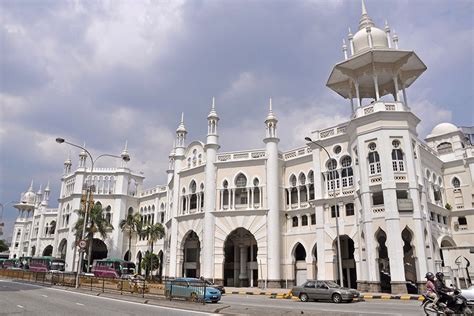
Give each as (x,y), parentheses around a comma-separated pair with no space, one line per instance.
(240,259)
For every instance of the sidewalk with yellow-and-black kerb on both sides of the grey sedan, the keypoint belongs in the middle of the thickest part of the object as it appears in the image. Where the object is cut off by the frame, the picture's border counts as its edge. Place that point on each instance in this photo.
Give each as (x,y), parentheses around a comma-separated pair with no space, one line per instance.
(285,294)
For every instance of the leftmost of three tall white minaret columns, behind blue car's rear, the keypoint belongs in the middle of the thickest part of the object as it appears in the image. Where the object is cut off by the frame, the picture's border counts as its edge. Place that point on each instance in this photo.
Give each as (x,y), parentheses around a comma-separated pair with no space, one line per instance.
(179,157)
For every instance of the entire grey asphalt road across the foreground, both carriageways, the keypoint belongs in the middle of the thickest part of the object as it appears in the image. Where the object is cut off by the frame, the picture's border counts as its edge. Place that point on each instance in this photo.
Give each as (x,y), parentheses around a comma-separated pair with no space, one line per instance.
(31,299)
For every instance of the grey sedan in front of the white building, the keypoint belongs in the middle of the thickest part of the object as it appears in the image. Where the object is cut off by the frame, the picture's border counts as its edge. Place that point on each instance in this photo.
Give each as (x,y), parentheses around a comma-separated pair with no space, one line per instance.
(324,290)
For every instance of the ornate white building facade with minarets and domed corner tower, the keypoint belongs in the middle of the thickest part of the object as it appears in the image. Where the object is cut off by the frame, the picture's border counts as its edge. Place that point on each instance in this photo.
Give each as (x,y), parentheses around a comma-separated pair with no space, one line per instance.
(268,217)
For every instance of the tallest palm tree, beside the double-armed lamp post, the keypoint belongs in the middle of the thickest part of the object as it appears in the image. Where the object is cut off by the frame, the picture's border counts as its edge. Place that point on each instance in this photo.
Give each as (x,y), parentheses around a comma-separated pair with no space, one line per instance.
(96,224)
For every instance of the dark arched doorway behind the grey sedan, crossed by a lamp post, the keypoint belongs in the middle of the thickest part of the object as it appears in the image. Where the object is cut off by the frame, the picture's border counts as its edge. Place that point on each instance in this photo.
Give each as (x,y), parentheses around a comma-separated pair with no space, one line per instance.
(349,274)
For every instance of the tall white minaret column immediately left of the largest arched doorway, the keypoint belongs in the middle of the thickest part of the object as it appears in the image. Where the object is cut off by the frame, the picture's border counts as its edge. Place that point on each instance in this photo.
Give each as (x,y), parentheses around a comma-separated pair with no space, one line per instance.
(211,148)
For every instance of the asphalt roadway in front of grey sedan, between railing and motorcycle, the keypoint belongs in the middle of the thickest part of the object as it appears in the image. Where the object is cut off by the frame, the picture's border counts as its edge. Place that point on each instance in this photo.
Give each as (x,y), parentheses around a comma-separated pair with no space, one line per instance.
(261,305)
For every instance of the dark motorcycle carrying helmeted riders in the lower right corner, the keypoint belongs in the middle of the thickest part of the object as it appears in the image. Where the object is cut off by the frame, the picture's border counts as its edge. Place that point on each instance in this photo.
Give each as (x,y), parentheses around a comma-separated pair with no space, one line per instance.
(458,306)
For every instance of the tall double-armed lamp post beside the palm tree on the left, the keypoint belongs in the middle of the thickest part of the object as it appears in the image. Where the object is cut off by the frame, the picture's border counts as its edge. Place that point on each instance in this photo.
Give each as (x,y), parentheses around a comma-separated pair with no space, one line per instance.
(124,157)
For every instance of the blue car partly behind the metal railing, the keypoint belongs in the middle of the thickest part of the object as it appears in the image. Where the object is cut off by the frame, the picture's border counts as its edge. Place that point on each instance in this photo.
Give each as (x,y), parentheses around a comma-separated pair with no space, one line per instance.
(192,289)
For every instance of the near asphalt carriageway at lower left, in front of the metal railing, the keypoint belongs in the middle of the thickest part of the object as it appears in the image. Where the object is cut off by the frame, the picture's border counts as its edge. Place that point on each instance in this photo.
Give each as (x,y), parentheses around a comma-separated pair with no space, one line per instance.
(26,299)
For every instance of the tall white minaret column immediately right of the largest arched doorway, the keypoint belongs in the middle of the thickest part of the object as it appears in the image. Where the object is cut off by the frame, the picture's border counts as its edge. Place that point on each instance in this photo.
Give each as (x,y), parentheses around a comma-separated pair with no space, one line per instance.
(273,222)
